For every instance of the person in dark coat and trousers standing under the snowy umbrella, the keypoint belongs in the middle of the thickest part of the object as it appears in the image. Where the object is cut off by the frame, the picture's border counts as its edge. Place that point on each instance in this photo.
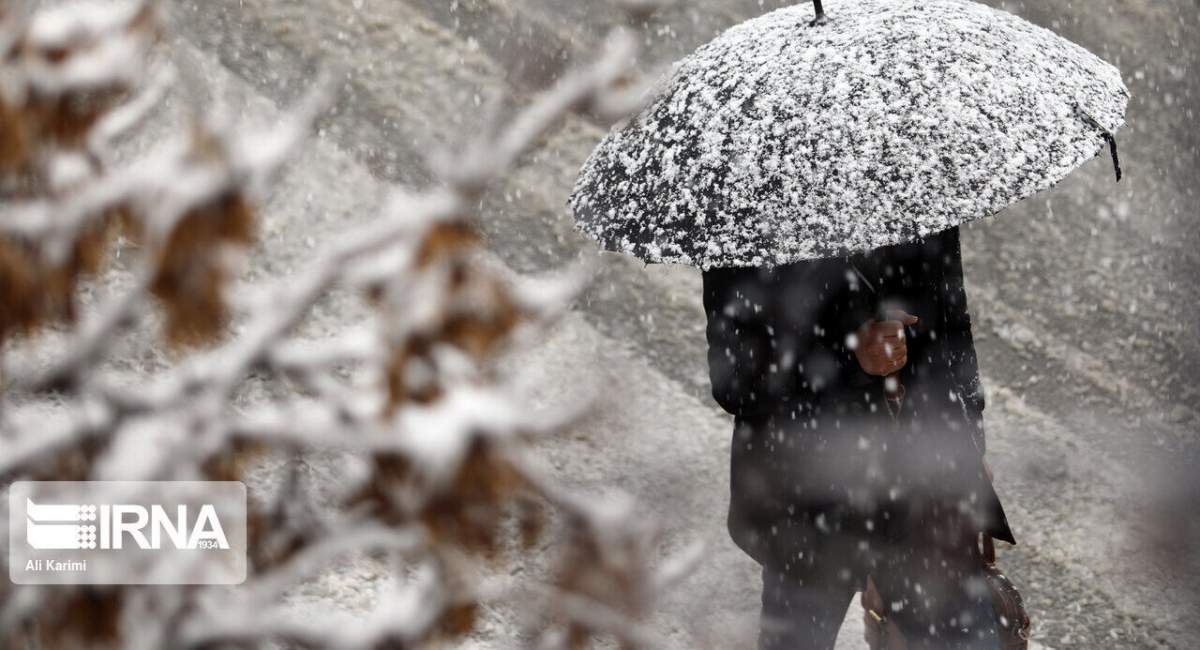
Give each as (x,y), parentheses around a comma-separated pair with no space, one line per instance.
(859,446)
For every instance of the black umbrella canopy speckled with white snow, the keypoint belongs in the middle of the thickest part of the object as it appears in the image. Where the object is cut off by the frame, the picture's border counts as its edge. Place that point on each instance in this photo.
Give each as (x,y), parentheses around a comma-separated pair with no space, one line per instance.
(790,139)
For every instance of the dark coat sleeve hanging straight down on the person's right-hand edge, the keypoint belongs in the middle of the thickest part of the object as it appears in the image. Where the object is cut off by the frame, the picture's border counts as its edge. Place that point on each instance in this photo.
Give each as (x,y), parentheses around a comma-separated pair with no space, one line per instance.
(961,344)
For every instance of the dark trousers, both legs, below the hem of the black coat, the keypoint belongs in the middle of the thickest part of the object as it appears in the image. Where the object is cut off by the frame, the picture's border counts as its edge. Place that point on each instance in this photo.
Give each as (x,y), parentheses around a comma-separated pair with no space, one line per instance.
(938,597)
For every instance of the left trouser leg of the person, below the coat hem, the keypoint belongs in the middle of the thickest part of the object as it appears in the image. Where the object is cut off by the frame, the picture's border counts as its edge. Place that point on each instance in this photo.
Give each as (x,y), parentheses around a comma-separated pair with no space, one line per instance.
(799,617)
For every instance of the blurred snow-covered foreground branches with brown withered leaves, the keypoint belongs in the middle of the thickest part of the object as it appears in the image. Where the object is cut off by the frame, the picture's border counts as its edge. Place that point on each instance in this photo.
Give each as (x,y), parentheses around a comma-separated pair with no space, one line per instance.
(416,396)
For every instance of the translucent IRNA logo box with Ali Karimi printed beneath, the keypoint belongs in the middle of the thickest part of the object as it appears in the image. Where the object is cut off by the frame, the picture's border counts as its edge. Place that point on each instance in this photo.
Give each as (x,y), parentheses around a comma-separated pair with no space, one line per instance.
(128,533)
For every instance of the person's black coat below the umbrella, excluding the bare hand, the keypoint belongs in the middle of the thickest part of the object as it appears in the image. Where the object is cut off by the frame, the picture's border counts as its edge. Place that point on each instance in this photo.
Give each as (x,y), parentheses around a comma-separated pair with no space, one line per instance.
(821,467)
